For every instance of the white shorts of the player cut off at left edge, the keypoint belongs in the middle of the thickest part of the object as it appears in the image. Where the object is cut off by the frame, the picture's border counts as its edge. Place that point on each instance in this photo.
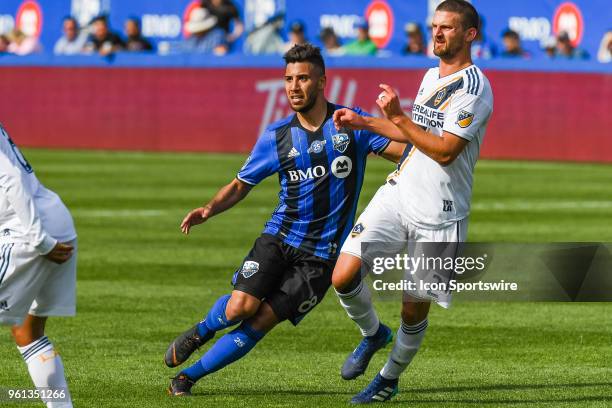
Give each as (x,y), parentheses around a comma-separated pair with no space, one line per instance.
(31,284)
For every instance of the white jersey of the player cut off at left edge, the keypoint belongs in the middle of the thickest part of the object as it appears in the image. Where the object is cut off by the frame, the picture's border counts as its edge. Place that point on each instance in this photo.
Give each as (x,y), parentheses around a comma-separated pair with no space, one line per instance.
(29,212)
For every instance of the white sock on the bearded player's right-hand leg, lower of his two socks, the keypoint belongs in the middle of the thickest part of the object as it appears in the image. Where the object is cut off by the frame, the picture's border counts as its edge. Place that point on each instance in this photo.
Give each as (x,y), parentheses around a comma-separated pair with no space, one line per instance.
(407,343)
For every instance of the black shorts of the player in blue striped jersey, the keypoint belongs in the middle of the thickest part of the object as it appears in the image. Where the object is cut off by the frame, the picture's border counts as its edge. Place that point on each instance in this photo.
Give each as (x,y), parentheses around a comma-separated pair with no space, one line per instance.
(291,281)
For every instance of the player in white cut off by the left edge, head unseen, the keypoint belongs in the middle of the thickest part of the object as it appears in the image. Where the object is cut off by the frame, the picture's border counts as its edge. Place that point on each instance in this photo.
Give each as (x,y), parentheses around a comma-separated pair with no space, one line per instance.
(37,269)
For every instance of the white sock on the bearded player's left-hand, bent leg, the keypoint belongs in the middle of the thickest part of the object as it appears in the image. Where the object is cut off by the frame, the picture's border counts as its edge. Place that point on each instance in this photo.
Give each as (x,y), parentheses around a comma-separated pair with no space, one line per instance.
(358,305)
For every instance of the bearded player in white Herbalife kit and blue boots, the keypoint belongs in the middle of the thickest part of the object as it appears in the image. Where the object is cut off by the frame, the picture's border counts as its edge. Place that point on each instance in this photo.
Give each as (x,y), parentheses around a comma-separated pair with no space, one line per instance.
(427,199)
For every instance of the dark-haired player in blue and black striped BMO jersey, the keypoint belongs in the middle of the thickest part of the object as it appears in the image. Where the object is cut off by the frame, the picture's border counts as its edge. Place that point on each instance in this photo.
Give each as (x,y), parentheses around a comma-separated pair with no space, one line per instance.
(288,270)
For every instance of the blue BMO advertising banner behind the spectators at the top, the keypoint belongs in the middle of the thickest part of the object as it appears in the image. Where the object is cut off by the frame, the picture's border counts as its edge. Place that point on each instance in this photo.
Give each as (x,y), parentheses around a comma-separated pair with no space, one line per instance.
(536,21)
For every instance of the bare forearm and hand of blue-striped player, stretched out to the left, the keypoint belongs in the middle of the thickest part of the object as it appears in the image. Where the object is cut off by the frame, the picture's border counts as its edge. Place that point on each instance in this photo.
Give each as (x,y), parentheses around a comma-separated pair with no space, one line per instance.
(225,198)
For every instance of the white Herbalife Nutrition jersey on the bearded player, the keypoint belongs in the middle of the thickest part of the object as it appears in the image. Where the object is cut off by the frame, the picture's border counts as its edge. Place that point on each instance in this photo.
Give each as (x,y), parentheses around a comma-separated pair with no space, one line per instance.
(434,196)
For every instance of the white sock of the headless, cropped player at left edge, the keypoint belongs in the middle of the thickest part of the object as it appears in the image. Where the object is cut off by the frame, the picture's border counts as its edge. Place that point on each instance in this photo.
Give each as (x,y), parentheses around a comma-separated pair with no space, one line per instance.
(47,371)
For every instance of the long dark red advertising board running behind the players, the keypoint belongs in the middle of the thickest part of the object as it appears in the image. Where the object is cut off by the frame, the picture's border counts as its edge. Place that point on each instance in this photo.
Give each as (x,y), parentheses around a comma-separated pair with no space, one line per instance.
(542,124)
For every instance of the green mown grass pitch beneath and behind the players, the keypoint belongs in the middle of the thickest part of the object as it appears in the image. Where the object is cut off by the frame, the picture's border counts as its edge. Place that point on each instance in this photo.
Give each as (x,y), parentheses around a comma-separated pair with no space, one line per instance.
(141,282)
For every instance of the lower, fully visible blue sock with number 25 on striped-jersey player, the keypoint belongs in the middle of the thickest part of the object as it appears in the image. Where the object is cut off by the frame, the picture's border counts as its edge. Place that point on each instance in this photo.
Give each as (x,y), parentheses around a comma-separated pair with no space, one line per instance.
(229,348)
